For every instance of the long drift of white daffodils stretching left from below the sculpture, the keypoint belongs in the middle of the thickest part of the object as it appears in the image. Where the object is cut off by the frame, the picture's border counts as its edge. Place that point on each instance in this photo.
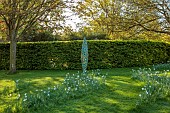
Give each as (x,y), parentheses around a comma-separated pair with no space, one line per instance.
(73,86)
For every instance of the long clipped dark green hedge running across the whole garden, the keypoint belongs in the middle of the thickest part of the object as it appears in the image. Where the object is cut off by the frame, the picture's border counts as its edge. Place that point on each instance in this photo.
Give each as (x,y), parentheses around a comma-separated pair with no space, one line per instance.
(102,54)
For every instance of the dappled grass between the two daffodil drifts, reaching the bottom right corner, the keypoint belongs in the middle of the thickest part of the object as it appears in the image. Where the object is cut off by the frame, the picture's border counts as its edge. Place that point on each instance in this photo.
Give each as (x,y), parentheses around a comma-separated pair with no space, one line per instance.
(118,97)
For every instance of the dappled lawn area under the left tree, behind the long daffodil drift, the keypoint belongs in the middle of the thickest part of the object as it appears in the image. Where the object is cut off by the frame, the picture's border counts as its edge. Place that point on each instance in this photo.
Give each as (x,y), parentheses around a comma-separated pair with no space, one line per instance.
(29,81)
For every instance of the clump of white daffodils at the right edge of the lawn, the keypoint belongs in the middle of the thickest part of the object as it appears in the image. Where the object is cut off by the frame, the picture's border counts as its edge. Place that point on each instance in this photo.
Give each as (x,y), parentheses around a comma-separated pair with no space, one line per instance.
(157,84)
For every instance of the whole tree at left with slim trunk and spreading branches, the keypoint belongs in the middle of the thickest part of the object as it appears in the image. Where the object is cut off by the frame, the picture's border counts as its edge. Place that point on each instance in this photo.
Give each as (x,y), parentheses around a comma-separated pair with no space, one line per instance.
(20,15)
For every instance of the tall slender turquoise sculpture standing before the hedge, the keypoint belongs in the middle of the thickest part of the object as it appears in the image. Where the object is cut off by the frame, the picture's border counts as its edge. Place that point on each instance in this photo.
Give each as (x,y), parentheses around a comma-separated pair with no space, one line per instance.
(84,56)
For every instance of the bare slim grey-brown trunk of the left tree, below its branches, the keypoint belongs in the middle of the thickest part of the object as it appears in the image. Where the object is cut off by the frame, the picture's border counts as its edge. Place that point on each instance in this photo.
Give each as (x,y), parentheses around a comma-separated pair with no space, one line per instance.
(13,44)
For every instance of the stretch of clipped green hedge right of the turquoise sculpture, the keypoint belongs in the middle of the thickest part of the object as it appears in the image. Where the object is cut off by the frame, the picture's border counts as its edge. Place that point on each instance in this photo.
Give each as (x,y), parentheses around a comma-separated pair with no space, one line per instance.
(109,54)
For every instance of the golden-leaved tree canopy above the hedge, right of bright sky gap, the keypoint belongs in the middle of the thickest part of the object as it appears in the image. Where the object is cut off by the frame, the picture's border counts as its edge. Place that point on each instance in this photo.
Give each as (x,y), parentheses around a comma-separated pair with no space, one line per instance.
(129,17)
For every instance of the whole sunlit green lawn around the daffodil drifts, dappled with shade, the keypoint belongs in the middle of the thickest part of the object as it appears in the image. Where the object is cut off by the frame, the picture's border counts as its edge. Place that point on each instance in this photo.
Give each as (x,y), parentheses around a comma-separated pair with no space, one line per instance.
(119,95)
